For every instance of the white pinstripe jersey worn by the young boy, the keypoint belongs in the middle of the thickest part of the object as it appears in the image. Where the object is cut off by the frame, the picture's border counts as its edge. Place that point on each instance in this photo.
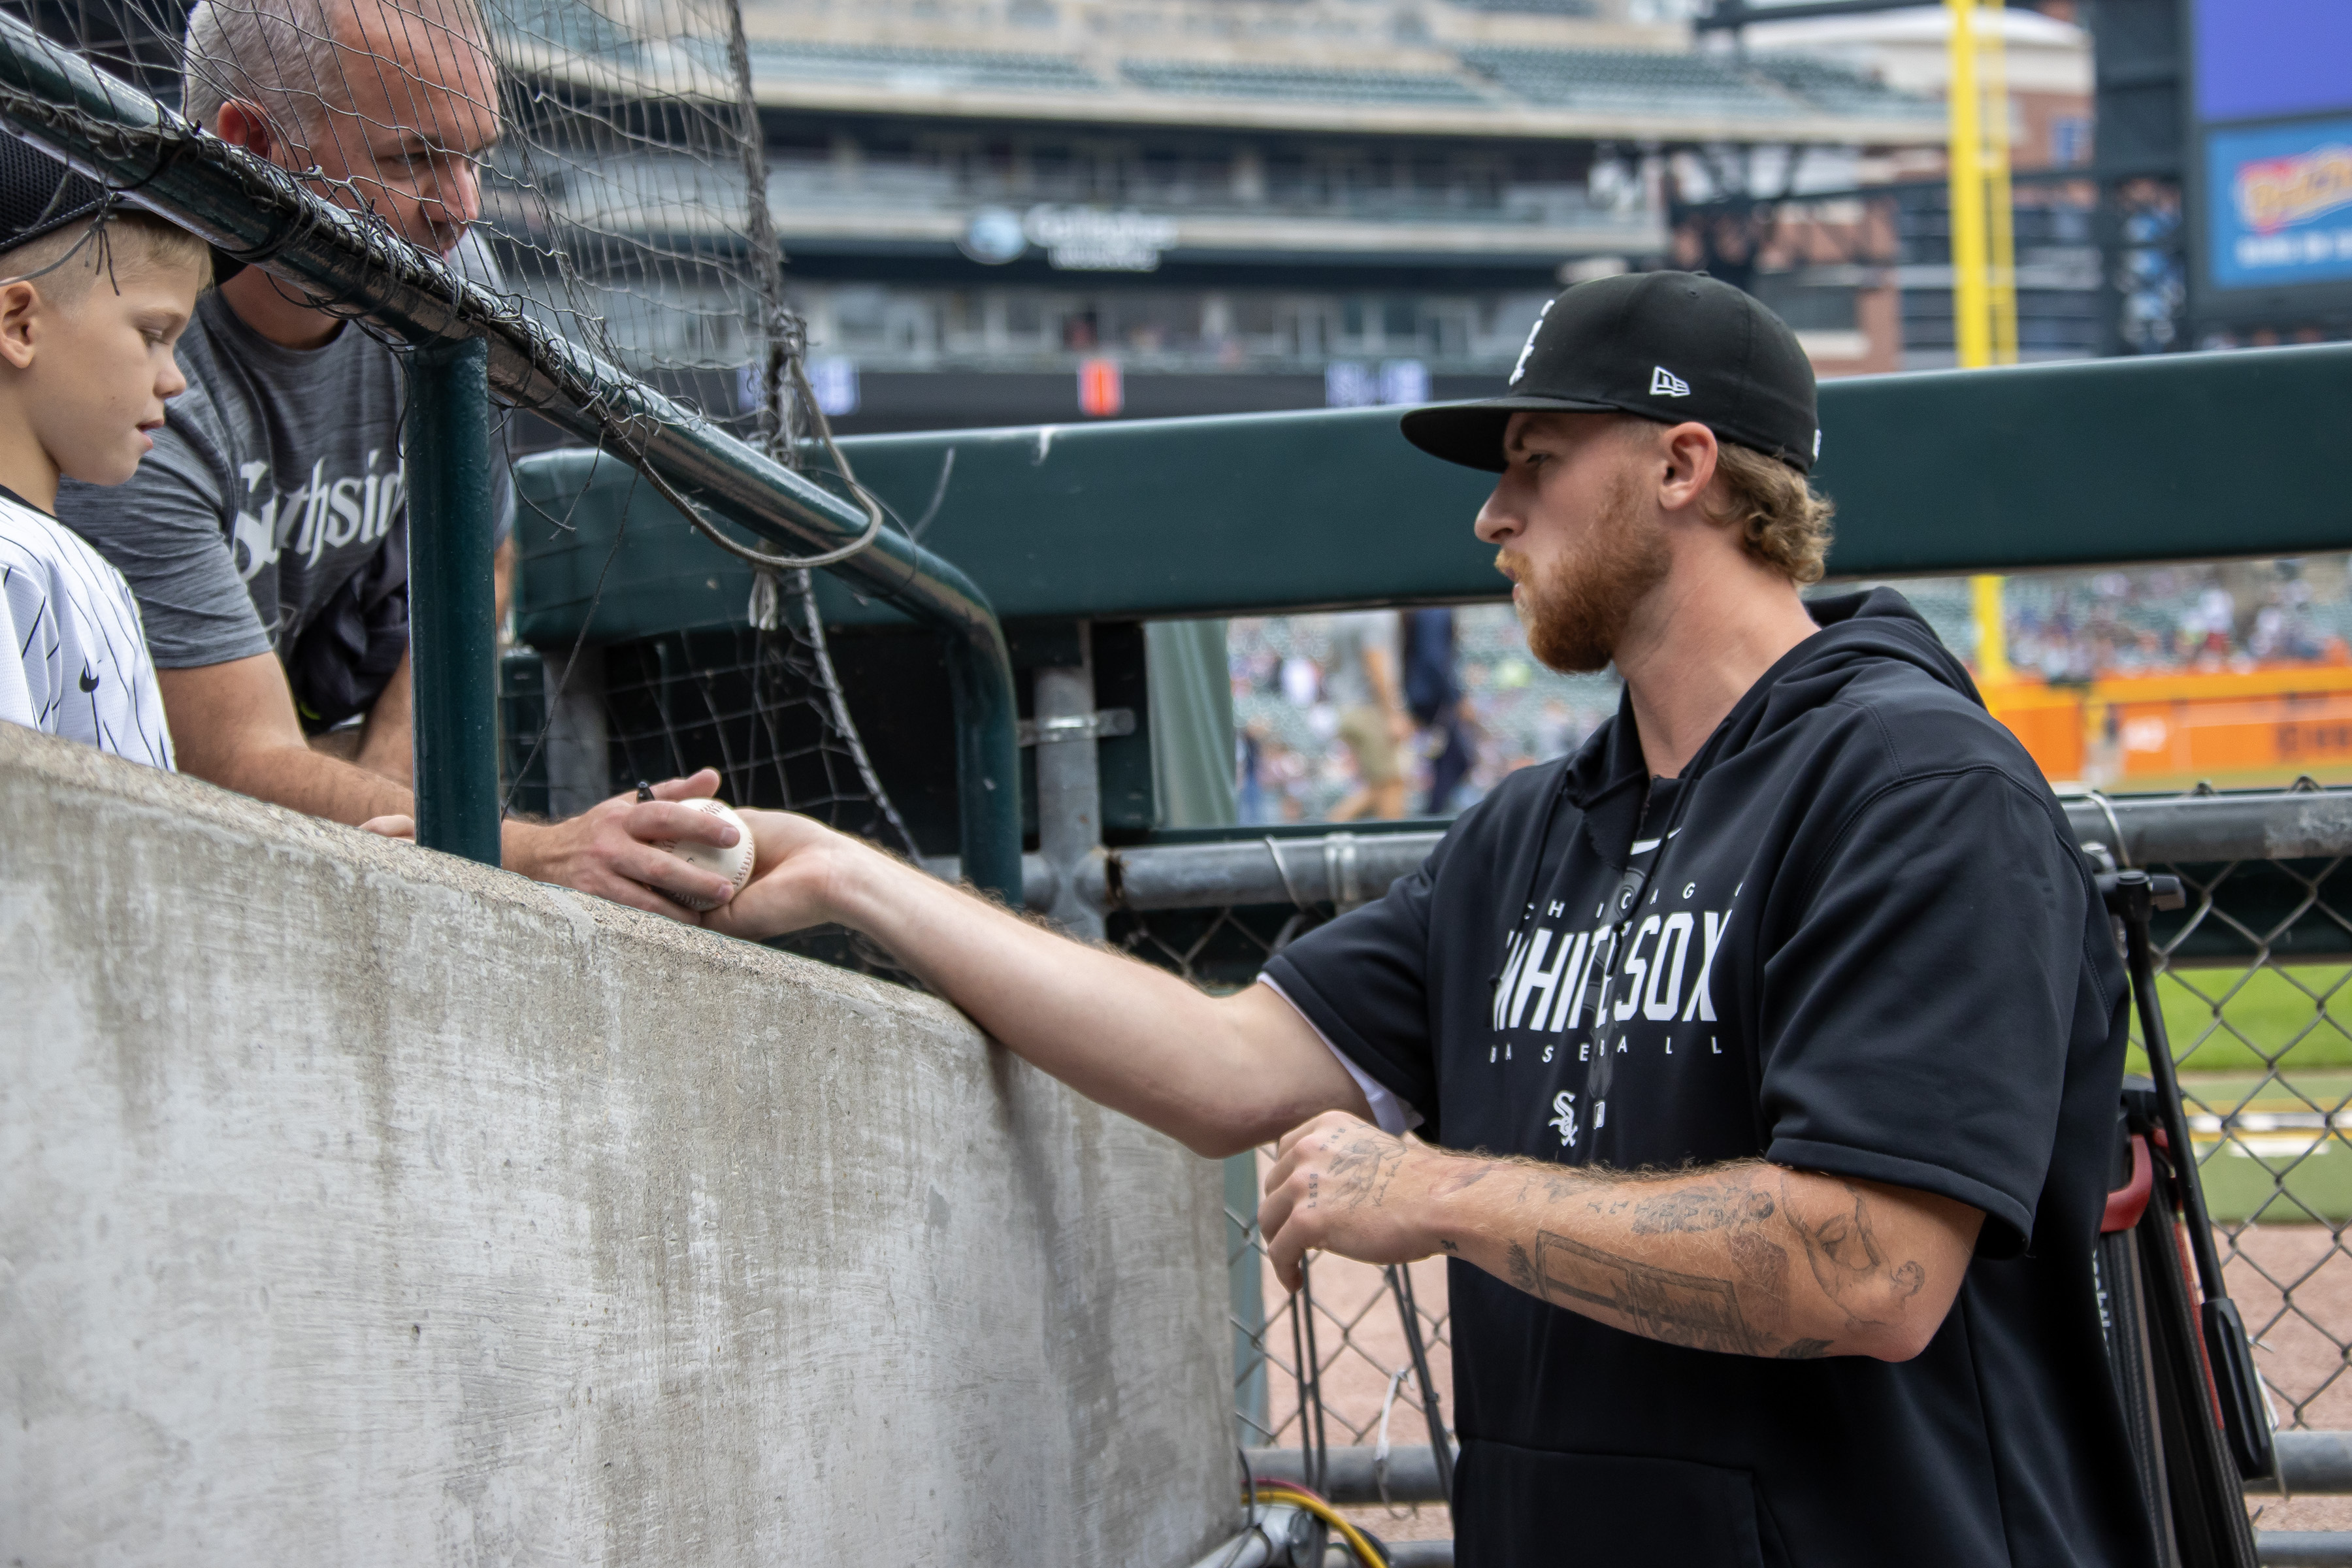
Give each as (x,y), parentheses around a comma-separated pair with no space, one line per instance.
(81,666)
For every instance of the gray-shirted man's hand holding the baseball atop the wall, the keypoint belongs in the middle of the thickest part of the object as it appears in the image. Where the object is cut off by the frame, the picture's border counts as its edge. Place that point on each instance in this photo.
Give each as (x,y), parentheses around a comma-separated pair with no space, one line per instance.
(610,850)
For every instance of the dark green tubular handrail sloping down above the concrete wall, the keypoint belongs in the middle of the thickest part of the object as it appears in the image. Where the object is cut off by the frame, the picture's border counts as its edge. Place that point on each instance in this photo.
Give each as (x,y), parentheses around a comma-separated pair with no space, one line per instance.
(265,217)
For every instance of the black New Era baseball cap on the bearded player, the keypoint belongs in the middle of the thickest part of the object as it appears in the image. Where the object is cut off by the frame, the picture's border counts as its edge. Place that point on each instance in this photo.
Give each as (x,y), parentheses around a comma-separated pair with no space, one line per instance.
(1666,347)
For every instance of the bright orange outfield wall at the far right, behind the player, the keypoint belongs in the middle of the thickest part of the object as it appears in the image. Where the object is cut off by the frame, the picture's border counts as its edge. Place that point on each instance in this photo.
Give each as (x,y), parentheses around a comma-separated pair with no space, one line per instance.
(2160,730)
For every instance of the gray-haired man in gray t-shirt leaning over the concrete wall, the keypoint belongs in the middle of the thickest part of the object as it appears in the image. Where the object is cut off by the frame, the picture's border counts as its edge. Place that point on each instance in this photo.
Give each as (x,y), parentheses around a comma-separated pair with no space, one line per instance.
(267,535)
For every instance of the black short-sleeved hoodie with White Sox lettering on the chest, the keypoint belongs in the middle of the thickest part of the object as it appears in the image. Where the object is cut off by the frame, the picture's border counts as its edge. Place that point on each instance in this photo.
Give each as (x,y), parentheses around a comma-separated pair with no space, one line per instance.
(1866,946)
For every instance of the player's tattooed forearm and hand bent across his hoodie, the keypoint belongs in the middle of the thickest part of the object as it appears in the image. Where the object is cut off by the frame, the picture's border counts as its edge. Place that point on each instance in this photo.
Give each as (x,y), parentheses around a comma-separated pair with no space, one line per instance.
(1746,1259)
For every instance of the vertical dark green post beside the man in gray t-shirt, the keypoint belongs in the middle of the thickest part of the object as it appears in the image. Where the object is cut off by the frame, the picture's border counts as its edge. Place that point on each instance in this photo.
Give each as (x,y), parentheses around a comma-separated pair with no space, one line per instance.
(453,605)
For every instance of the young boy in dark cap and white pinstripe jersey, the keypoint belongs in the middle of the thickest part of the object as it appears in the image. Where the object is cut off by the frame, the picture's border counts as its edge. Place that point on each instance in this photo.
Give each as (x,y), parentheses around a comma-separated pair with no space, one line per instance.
(93,297)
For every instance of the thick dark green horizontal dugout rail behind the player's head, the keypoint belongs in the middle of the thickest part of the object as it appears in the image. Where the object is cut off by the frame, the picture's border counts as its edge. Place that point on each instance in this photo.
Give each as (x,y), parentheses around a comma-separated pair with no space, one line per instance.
(2174,457)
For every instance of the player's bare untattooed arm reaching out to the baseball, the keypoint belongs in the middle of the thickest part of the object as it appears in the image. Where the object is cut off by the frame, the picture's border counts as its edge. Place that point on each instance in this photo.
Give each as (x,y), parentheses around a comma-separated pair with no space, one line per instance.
(1215,1073)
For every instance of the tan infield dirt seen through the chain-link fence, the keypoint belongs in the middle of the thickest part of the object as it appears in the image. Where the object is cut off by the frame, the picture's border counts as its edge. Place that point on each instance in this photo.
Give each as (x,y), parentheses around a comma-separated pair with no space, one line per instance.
(2299,1353)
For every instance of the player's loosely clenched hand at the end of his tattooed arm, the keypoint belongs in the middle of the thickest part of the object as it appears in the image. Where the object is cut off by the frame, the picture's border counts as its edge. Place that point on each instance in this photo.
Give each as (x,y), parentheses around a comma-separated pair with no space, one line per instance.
(1344,1186)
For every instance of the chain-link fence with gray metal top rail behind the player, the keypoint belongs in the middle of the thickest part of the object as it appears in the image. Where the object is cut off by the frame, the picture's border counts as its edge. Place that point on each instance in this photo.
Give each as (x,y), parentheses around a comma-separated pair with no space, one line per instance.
(2254,989)
